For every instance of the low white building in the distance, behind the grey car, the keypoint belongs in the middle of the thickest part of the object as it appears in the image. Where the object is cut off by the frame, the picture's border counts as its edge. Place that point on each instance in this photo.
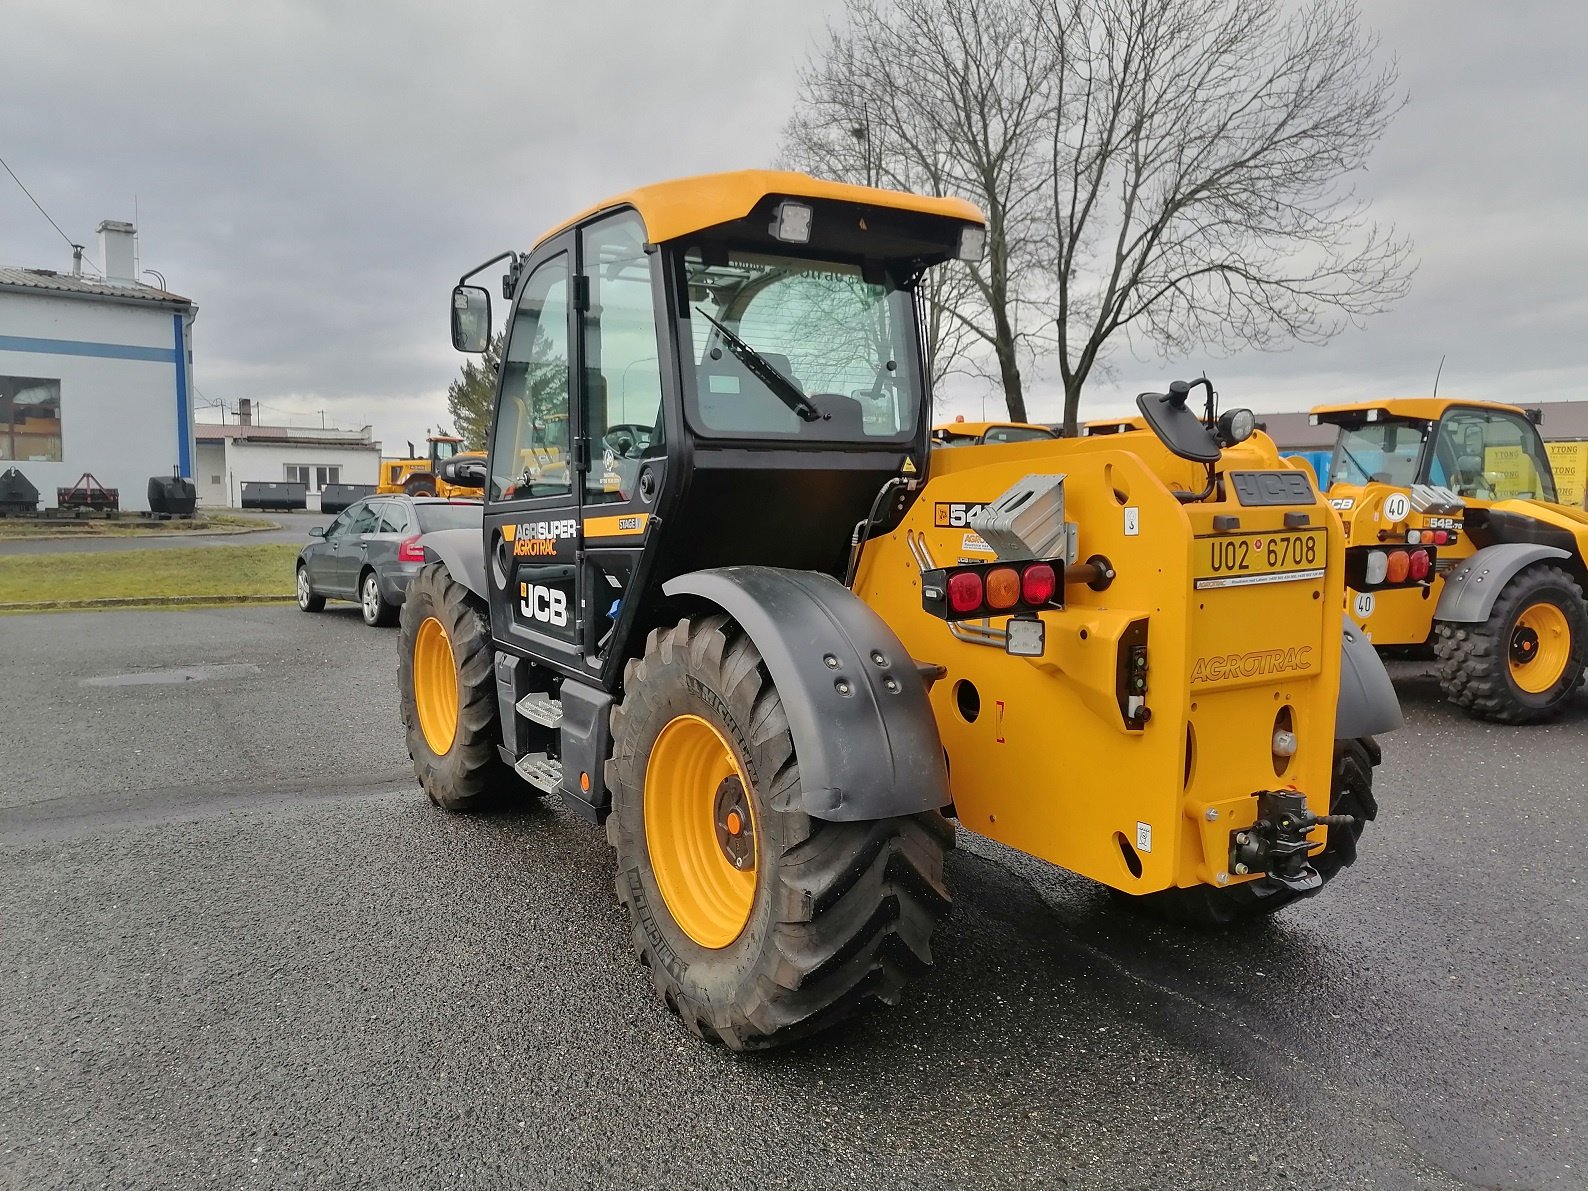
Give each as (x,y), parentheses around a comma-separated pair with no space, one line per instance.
(229,457)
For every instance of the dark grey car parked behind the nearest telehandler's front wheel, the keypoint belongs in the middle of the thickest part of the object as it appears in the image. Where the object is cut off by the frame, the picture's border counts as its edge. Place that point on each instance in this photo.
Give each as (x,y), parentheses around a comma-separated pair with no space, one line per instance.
(372,550)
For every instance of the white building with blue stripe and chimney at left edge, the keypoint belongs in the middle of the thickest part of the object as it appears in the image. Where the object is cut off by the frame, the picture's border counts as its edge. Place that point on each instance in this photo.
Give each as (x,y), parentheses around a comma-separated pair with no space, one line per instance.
(96,376)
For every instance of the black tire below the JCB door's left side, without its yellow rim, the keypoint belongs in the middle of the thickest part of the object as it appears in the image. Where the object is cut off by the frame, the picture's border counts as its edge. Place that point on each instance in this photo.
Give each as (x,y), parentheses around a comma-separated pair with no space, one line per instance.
(469,774)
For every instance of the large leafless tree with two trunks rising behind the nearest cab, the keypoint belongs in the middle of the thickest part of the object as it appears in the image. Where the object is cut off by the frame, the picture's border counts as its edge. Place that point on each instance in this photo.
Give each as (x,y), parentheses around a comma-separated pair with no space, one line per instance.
(1168,172)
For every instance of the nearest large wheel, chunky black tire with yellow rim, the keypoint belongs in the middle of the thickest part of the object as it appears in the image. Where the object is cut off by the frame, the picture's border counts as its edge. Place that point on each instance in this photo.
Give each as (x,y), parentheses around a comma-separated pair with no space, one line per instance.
(760,925)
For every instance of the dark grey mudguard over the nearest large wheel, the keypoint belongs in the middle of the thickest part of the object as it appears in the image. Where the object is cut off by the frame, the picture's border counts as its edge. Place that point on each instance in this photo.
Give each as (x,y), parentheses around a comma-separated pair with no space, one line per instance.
(868,755)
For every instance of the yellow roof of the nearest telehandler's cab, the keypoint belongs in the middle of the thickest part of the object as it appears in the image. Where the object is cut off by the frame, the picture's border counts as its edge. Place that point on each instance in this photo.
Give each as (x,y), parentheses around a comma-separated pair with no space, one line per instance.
(685,206)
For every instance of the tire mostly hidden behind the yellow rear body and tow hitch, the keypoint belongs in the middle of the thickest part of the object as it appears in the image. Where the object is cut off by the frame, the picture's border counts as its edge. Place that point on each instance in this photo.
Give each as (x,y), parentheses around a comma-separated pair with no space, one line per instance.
(1352,793)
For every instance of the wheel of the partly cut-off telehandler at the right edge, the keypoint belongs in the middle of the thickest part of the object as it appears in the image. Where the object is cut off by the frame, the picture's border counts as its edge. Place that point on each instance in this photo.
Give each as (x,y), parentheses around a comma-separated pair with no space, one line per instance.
(1522,665)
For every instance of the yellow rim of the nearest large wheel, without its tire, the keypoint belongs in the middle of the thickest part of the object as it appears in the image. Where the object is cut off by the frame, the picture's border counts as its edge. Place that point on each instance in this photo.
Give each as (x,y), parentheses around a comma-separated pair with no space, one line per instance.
(693,820)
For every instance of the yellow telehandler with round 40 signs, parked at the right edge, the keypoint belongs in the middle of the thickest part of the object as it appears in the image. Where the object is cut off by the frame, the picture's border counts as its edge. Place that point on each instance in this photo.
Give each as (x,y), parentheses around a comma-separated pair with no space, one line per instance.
(1455,539)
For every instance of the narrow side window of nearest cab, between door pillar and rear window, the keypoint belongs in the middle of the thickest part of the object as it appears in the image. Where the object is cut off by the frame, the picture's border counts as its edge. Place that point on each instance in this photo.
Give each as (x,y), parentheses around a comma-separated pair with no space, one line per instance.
(623,374)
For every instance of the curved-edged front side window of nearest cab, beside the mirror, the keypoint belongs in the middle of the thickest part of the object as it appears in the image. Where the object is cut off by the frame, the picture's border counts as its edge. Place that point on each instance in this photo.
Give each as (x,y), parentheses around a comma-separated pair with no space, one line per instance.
(530,445)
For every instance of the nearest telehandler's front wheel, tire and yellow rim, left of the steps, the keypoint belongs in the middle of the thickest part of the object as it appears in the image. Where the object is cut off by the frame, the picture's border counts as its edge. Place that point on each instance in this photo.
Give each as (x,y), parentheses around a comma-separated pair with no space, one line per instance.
(449,695)
